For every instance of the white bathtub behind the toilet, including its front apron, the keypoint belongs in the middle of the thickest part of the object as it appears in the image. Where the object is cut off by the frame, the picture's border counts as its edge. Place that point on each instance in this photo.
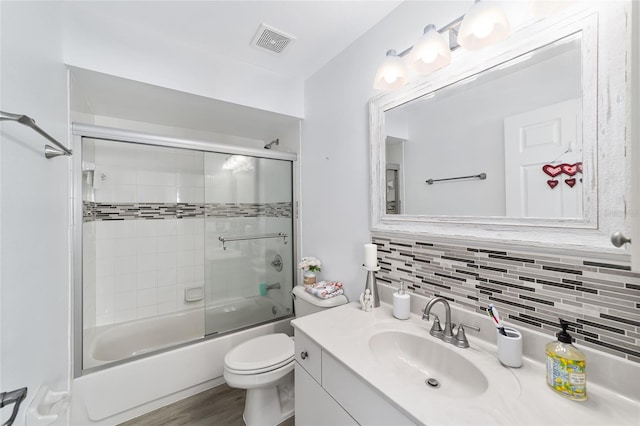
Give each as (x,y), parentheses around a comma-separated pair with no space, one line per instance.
(123,391)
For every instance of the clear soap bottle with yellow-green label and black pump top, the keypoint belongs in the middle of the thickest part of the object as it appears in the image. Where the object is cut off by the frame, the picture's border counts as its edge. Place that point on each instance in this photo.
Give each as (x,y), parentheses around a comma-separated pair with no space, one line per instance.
(566,367)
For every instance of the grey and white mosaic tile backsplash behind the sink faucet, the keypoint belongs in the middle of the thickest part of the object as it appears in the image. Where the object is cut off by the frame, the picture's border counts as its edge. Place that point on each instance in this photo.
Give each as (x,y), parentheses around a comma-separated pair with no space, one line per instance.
(601,300)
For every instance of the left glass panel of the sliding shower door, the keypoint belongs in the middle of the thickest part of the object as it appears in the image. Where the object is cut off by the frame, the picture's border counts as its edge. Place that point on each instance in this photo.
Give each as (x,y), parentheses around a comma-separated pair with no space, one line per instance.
(143,249)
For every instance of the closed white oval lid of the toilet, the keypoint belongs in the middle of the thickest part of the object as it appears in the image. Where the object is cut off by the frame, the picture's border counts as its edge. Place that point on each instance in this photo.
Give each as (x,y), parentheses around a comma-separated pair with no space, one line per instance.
(260,354)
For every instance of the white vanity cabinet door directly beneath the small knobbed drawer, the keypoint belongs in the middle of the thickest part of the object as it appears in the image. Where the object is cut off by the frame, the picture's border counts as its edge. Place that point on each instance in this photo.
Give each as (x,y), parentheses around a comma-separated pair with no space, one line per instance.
(314,407)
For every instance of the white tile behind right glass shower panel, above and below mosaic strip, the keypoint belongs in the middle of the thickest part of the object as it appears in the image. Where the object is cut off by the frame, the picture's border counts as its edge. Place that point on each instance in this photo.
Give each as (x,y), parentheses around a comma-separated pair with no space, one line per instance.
(252,181)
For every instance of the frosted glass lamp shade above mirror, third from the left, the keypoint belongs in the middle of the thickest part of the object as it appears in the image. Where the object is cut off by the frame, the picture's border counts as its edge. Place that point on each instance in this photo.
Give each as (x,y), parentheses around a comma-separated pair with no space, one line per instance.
(484,24)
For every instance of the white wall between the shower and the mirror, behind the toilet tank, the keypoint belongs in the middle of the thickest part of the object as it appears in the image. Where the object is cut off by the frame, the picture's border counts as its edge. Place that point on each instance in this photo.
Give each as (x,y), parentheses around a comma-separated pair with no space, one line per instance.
(335,144)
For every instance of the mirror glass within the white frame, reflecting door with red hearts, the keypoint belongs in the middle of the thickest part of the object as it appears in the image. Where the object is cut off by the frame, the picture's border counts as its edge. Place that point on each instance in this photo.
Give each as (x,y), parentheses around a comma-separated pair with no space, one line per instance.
(505,142)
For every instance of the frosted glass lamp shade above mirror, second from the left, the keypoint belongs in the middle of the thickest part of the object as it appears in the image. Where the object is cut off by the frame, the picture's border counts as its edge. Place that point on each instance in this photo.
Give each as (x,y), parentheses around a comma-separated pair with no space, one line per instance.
(430,53)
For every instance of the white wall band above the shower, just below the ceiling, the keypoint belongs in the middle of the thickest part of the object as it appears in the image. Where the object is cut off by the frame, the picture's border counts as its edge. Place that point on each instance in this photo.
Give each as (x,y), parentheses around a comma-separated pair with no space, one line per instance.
(91,43)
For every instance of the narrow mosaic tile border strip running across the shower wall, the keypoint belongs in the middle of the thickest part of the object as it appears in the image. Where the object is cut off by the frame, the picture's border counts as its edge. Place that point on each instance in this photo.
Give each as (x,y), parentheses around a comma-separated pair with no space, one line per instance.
(93,211)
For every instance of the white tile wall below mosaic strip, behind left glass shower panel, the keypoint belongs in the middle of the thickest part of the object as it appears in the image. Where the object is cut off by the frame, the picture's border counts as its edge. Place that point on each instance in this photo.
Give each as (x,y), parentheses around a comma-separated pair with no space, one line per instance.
(144,266)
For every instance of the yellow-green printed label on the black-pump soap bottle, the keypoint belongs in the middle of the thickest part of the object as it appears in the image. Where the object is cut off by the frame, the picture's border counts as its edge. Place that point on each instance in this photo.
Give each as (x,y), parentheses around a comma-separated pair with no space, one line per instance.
(567,376)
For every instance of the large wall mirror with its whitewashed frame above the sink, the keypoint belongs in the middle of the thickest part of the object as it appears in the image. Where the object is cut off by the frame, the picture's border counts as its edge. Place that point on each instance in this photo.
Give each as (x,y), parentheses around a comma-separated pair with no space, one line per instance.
(505,142)
